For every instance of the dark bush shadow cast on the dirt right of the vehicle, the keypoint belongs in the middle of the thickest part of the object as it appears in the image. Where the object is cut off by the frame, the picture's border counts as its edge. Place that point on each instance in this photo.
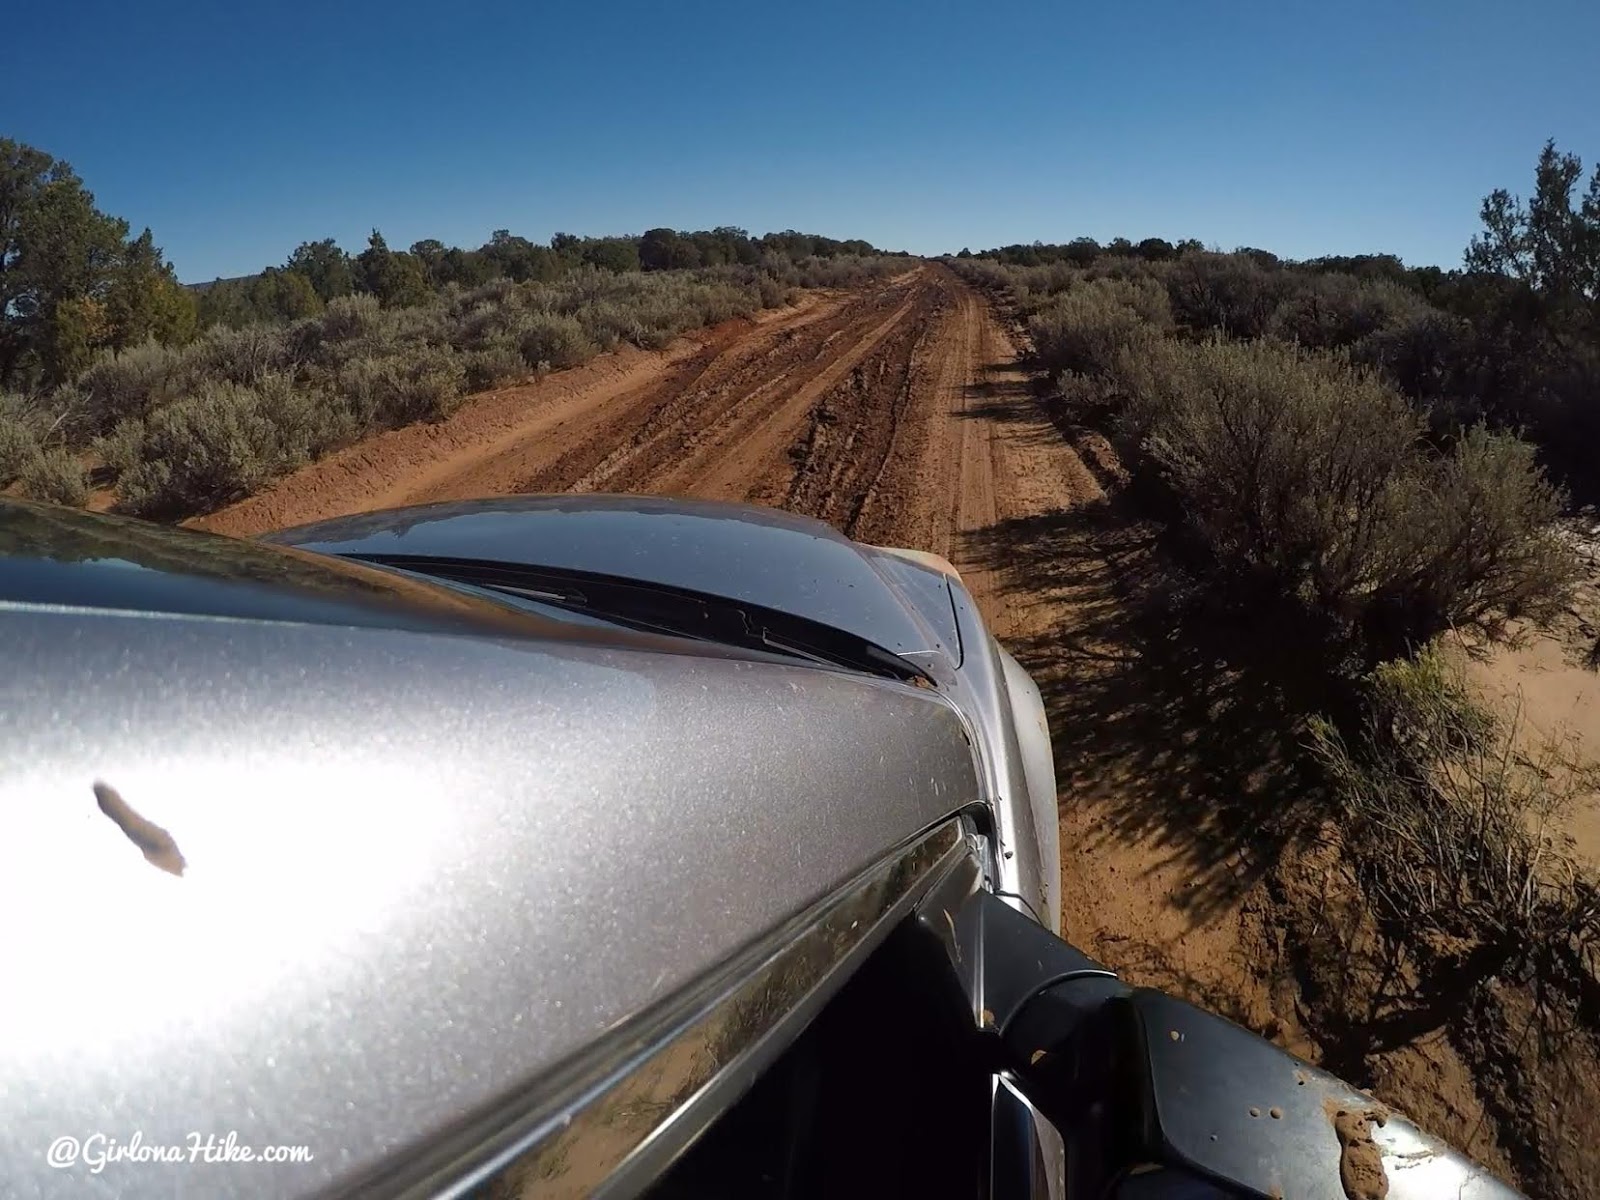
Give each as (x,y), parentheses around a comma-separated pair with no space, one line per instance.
(1164,698)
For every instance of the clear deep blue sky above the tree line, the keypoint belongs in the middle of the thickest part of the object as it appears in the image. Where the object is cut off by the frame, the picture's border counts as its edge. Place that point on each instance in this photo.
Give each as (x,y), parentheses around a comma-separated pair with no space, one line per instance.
(238,130)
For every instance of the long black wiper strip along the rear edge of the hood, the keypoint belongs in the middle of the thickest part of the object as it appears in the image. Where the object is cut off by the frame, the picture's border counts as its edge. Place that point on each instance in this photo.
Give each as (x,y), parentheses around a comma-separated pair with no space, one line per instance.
(663,609)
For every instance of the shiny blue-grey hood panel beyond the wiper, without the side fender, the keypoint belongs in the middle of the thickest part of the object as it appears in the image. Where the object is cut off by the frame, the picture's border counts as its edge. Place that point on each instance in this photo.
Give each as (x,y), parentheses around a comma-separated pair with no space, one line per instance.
(759,556)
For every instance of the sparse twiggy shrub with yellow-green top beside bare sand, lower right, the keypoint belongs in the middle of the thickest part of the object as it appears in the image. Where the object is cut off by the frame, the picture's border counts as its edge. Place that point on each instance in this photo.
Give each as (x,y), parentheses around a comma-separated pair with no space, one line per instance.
(1447,820)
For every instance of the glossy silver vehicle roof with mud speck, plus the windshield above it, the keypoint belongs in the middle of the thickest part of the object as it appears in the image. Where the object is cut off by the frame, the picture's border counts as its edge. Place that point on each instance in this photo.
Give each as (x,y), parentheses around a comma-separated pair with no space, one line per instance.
(425,860)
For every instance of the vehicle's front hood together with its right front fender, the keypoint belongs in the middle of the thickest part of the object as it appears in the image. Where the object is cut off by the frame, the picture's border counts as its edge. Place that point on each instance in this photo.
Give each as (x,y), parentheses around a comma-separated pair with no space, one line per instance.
(905,602)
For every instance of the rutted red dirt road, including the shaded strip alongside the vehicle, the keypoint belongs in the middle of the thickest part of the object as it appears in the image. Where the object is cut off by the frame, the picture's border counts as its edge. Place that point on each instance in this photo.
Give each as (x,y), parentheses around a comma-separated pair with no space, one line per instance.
(898,414)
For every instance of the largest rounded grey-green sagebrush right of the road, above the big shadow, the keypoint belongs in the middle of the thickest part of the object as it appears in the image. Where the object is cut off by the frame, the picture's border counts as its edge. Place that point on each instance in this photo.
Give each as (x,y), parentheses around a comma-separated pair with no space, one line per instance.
(1310,479)
